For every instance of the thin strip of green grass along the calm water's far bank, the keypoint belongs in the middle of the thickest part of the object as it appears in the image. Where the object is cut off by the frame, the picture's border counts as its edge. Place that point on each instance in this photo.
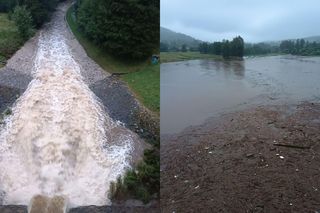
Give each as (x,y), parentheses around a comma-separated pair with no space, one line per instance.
(183,56)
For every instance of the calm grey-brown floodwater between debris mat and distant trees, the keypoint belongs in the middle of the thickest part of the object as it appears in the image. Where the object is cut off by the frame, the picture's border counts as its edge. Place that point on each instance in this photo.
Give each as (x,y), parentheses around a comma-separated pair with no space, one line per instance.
(193,91)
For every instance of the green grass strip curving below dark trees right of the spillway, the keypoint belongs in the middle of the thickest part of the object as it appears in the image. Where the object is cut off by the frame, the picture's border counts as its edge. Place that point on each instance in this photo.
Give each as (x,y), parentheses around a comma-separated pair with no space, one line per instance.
(143,78)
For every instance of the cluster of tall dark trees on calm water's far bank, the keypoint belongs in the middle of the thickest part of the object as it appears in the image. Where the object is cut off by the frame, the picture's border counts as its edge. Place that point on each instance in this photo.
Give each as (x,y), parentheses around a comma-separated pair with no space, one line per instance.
(226,48)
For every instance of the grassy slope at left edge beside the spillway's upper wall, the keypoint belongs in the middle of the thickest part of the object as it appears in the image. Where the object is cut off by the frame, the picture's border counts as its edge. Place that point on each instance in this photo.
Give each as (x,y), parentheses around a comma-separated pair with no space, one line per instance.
(10,41)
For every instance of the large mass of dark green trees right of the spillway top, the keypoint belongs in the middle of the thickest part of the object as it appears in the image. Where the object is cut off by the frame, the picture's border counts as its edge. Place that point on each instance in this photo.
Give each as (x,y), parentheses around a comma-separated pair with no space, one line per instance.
(125,28)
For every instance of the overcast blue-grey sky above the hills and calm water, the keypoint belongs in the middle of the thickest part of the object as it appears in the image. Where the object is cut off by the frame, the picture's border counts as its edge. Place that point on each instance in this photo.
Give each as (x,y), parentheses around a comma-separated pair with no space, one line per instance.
(254,20)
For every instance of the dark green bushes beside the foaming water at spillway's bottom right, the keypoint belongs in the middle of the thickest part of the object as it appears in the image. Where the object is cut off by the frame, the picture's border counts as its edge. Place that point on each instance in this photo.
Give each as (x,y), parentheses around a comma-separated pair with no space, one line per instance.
(141,183)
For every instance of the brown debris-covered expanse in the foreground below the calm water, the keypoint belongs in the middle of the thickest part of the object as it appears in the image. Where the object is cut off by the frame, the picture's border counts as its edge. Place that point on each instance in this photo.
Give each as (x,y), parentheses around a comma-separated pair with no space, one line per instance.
(266,159)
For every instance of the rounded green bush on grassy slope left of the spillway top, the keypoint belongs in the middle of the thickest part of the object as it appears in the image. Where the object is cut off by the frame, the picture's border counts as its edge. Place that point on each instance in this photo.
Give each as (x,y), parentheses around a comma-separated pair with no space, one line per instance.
(23,21)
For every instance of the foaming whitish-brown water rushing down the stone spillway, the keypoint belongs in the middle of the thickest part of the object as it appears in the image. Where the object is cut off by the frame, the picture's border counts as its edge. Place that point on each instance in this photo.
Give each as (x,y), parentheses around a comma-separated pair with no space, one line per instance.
(59,140)
